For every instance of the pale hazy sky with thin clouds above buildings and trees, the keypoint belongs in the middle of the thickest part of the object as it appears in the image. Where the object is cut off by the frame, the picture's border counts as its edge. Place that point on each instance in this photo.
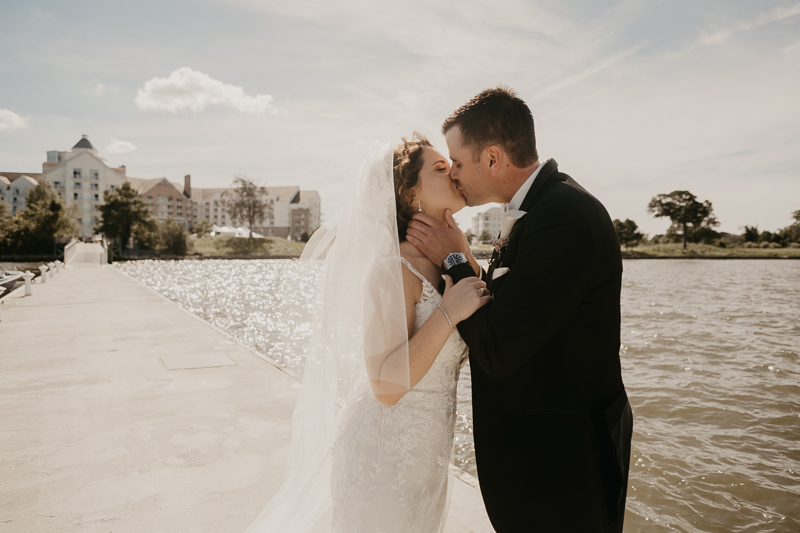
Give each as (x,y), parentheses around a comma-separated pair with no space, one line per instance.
(631,98)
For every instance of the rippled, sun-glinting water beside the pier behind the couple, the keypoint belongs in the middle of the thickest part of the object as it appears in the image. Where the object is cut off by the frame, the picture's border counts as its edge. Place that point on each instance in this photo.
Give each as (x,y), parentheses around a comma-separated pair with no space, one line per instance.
(711,360)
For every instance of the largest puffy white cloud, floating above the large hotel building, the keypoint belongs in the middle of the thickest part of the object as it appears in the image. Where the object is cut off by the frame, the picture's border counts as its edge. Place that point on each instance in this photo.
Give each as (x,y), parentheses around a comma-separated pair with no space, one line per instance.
(189,90)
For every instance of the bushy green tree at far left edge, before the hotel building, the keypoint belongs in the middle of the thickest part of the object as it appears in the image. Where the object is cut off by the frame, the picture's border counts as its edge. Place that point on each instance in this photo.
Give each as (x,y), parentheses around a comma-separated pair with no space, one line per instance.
(44,218)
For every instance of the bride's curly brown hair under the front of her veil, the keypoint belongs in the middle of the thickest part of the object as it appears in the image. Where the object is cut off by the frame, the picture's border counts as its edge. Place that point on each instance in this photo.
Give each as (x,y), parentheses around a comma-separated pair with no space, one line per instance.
(407,164)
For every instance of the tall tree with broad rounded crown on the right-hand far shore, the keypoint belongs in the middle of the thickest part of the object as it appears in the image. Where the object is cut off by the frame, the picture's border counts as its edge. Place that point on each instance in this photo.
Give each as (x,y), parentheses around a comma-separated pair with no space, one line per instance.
(686,213)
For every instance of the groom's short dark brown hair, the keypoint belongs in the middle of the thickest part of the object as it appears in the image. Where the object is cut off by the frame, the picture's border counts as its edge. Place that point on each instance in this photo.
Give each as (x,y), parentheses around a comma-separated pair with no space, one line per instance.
(496,116)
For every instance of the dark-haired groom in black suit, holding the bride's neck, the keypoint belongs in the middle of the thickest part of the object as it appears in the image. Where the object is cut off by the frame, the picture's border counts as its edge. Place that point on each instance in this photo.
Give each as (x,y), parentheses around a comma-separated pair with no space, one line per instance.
(551,418)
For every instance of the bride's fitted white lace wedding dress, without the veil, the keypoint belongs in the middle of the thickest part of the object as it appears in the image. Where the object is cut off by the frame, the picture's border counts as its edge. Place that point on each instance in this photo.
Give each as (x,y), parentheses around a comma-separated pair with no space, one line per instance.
(390,464)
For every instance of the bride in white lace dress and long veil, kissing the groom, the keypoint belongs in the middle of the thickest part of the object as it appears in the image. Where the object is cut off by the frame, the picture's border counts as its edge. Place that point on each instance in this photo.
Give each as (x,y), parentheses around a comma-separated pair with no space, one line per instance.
(372,431)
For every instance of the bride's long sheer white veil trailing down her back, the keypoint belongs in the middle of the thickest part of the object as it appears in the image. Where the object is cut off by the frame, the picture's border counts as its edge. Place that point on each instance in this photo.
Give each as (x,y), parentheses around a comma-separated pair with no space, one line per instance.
(358,334)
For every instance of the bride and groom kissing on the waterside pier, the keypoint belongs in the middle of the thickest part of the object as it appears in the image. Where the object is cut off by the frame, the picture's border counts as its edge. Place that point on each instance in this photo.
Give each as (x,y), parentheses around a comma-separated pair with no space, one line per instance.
(401,304)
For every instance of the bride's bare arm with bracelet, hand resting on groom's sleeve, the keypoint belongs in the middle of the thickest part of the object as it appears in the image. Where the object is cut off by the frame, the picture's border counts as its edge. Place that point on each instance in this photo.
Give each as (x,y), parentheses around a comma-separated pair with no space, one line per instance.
(459,301)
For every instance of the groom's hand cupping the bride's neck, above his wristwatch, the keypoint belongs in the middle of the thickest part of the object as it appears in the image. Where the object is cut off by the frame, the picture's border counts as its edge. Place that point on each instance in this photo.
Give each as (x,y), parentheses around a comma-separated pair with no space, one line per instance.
(434,239)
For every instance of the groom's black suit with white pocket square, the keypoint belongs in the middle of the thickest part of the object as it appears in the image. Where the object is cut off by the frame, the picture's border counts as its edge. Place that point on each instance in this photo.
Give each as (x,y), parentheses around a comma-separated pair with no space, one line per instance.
(552,422)
